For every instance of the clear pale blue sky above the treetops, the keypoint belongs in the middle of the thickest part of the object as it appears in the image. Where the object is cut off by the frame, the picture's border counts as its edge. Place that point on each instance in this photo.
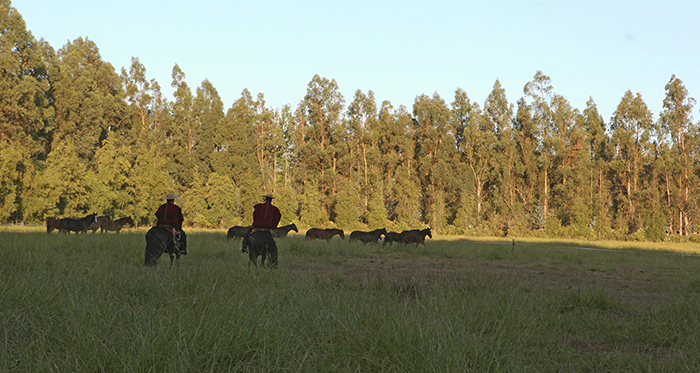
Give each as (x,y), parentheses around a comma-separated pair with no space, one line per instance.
(398,49)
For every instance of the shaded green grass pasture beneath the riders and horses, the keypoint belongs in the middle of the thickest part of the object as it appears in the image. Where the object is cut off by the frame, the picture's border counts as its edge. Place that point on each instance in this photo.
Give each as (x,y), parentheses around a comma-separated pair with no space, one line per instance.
(87,303)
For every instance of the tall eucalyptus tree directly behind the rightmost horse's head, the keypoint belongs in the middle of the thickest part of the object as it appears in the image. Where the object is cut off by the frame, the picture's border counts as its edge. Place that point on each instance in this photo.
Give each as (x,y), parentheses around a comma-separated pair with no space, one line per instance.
(435,148)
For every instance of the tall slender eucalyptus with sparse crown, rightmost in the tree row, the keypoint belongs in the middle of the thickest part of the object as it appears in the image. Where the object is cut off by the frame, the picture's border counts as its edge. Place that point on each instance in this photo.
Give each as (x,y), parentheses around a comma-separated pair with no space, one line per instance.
(678,128)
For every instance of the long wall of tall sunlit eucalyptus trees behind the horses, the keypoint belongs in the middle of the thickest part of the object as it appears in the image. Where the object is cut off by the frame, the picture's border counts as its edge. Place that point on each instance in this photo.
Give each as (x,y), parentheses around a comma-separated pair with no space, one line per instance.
(77,136)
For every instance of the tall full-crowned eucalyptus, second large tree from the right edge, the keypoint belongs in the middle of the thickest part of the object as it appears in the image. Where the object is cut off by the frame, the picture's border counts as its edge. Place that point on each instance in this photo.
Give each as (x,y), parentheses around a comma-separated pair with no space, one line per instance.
(632,130)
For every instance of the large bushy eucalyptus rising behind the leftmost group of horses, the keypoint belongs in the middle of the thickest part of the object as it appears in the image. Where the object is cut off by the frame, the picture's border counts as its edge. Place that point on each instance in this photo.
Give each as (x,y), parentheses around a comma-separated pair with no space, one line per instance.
(88,102)
